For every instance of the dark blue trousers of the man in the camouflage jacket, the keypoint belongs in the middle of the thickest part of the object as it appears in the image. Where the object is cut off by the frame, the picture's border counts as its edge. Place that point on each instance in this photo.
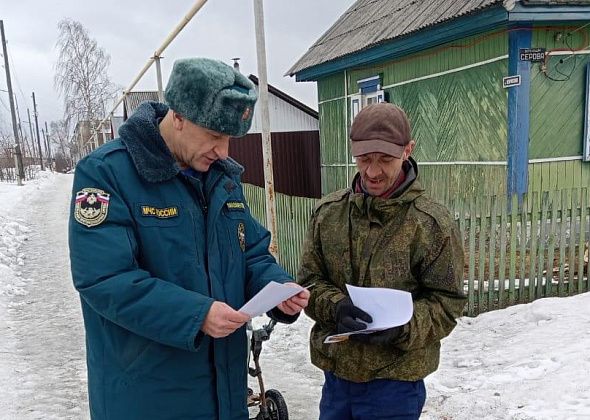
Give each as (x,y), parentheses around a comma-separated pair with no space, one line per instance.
(377,399)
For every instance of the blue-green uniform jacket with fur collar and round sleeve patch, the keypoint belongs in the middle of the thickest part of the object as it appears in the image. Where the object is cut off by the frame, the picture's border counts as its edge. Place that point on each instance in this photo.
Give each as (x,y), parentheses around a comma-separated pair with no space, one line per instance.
(151,249)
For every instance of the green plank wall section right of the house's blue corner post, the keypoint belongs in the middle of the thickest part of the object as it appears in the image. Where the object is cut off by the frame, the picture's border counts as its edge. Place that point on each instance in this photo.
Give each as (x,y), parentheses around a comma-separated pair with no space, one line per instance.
(557,112)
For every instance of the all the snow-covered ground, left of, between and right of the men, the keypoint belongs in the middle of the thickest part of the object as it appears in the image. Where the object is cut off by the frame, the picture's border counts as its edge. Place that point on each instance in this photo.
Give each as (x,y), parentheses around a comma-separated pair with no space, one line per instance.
(525,362)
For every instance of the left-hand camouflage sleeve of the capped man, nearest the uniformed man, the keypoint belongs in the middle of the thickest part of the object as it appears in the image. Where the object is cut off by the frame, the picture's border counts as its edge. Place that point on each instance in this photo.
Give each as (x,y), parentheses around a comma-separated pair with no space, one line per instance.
(325,294)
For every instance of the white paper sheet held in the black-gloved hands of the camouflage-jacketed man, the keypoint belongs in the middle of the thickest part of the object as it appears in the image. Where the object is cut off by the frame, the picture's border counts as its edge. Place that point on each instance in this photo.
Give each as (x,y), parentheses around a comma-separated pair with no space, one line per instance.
(388,307)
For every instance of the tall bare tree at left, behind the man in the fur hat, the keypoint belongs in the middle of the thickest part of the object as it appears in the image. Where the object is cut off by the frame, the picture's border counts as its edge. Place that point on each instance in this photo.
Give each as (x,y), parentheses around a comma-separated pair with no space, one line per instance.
(81,74)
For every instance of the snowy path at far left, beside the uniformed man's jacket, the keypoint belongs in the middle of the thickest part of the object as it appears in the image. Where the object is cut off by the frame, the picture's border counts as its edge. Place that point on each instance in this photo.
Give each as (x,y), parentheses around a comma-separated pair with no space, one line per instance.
(42,368)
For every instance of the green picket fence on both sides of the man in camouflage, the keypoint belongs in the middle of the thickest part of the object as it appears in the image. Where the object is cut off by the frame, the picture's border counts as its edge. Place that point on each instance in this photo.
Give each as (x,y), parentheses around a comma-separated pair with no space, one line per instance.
(514,252)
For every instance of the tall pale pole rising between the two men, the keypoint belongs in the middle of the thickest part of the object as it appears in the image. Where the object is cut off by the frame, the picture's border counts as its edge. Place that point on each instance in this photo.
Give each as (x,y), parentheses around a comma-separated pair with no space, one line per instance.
(271,212)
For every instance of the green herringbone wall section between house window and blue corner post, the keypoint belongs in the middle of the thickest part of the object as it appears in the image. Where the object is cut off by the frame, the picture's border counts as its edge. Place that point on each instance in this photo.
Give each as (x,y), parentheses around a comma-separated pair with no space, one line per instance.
(459,116)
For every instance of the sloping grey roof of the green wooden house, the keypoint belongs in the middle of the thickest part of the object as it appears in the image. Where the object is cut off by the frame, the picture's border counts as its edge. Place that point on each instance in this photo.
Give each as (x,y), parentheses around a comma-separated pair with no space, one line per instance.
(371,22)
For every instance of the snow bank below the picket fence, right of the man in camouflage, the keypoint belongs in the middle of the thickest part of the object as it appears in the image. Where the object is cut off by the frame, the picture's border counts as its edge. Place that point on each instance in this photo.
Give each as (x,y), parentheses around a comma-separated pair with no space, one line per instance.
(525,362)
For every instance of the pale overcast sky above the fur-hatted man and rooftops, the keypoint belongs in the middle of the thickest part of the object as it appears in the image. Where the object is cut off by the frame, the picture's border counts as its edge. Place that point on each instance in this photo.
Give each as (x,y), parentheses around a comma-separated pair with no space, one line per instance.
(131,30)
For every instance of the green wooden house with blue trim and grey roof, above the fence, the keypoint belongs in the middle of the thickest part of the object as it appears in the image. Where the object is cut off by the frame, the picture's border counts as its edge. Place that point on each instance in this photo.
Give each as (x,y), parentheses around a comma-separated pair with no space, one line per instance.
(496,90)
